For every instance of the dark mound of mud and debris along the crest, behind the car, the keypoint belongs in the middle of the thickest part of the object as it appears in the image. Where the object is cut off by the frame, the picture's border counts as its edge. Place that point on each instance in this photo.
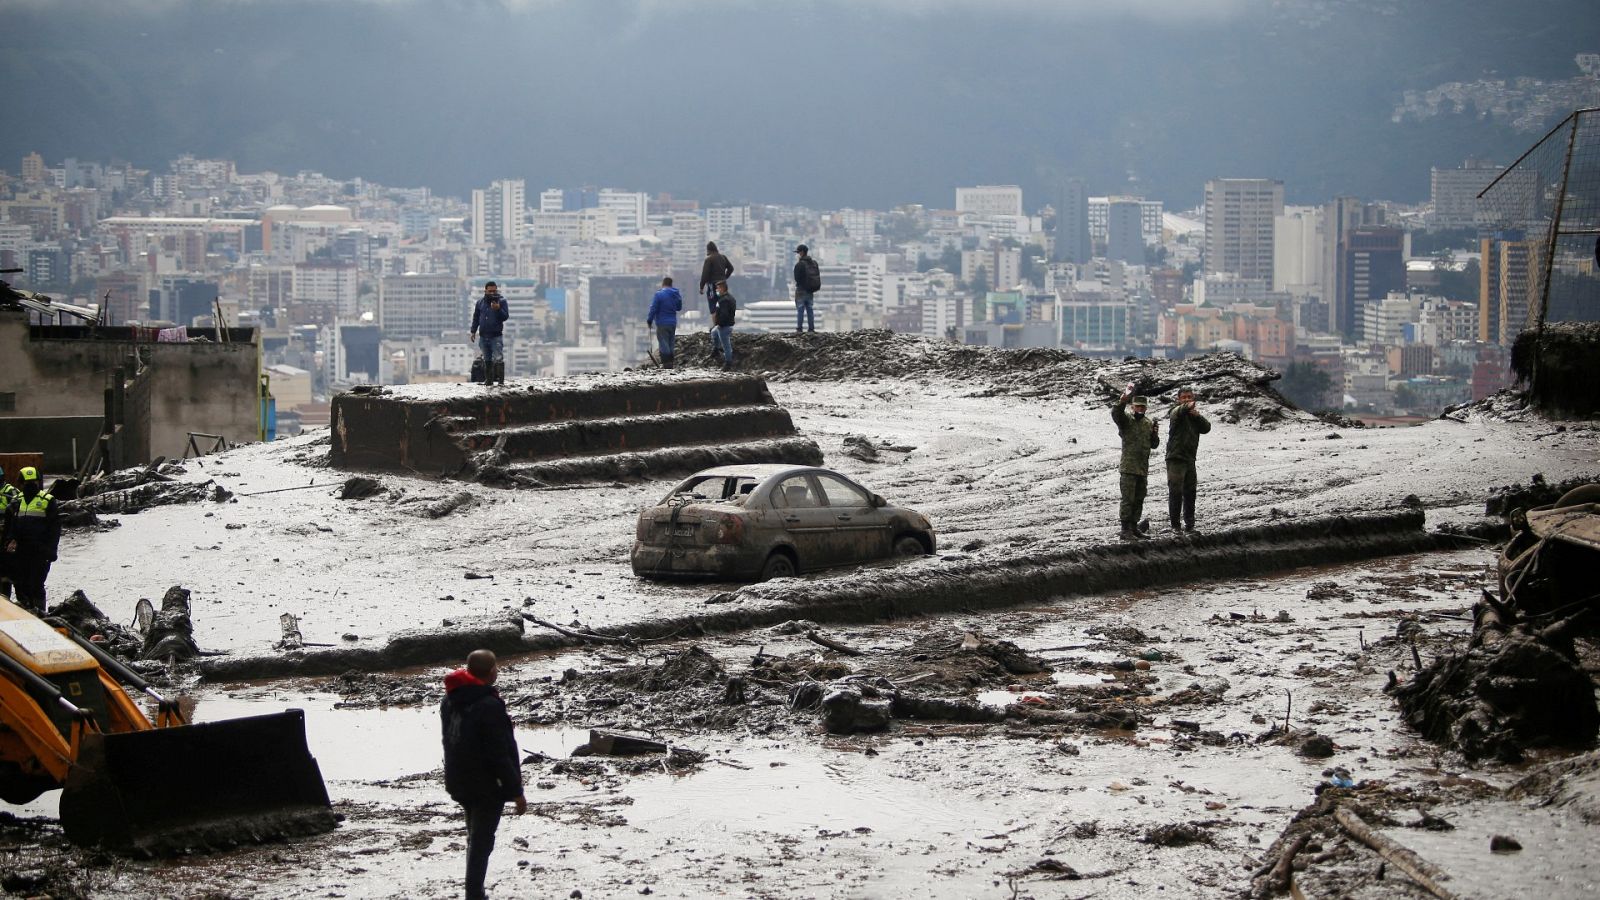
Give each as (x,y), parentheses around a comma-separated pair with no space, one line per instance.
(1218,379)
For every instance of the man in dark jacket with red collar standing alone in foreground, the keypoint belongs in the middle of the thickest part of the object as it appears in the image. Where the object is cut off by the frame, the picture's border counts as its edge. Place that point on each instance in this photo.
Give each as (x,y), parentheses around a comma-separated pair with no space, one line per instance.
(482,768)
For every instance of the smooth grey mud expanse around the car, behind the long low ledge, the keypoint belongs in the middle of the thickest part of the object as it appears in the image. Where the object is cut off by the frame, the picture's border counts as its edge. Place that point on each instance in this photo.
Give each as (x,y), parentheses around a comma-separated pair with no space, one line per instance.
(1002,478)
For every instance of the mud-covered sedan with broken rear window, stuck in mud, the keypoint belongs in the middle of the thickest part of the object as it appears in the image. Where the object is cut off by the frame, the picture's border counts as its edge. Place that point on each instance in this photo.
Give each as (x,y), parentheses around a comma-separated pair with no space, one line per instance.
(772,521)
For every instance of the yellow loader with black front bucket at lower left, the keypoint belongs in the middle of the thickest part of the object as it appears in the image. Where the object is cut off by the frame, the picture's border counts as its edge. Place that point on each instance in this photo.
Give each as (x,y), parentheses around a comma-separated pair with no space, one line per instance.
(130,785)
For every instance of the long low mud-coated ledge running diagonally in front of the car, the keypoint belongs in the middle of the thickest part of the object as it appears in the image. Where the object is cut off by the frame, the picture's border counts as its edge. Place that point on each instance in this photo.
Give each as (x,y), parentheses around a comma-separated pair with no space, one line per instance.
(918,589)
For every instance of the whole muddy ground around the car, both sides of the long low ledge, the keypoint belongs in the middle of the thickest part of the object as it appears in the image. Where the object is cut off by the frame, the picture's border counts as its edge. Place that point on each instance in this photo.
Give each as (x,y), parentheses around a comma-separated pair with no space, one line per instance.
(1150,758)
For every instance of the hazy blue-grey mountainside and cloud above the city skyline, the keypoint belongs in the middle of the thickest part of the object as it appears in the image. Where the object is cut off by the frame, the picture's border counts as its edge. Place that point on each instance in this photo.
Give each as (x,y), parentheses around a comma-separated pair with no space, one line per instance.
(870,103)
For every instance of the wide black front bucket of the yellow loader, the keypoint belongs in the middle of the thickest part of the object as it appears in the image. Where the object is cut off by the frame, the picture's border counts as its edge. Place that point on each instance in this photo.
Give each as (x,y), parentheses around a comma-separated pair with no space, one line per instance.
(196,789)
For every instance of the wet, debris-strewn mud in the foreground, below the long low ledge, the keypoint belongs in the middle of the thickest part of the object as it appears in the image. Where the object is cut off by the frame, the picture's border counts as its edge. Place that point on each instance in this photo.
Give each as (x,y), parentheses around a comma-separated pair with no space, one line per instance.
(1186,802)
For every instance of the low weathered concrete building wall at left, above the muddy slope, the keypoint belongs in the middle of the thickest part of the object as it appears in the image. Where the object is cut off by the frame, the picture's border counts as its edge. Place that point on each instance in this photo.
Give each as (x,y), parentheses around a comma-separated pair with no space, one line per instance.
(194,387)
